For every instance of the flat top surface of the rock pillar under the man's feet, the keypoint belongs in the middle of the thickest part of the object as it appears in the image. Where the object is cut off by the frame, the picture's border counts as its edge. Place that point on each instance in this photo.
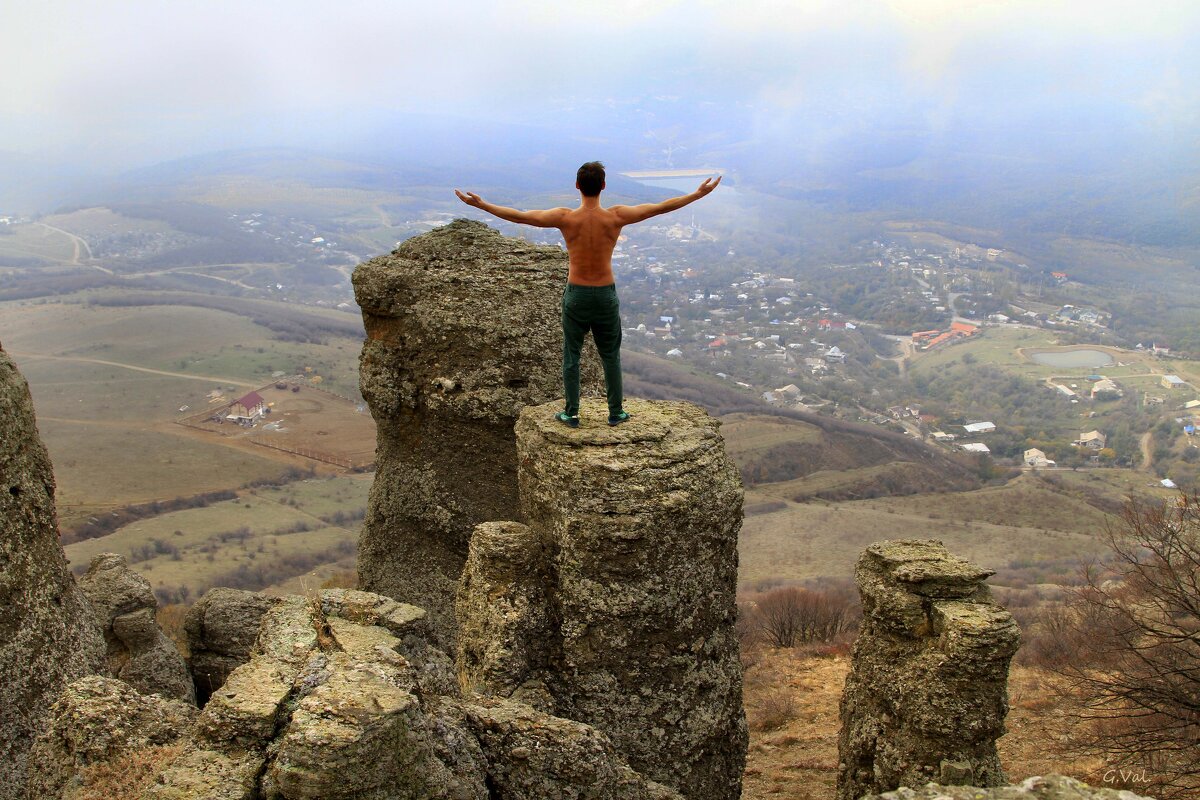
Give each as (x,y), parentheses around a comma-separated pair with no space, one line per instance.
(651,422)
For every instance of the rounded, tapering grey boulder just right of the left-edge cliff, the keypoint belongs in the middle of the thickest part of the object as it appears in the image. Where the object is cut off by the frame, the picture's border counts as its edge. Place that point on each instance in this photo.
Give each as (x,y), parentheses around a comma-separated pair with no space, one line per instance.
(137,649)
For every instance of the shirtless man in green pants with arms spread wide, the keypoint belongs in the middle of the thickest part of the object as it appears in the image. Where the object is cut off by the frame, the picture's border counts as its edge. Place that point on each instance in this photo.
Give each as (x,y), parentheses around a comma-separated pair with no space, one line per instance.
(590,302)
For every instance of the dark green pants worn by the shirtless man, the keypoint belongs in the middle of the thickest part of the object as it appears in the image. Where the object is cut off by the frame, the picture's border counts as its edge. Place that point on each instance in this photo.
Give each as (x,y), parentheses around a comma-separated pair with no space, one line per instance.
(597,310)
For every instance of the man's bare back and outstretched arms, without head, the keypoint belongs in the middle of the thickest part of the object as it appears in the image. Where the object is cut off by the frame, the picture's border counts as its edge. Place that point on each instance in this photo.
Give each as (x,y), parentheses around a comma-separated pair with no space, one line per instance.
(591,231)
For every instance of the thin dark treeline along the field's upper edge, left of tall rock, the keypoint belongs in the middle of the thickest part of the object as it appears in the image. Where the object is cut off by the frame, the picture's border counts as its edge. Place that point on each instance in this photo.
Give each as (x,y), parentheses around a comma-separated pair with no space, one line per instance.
(289,323)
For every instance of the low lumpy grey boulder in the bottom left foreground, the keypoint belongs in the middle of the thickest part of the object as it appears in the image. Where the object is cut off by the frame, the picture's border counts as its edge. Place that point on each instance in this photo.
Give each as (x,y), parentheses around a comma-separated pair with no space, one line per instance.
(98,720)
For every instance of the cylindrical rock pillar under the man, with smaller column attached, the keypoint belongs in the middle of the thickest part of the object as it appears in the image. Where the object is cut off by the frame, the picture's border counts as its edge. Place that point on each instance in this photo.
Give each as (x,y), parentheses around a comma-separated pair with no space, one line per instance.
(616,605)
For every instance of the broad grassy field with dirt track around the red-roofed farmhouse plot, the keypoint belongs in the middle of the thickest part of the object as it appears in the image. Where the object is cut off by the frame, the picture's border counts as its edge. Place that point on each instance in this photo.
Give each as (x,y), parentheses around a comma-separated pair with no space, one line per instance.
(109,384)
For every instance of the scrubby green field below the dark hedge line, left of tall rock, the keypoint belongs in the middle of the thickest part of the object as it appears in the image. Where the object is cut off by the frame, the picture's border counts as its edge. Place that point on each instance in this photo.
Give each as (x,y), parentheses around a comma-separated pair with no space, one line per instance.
(265,537)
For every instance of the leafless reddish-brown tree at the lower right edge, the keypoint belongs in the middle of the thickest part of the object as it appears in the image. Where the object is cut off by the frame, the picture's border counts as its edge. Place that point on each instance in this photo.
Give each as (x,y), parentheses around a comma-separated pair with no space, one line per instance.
(1136,670)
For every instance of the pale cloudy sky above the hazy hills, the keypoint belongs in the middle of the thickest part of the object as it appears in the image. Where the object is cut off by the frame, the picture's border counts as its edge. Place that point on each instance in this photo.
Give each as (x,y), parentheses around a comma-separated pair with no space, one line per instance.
(130,82)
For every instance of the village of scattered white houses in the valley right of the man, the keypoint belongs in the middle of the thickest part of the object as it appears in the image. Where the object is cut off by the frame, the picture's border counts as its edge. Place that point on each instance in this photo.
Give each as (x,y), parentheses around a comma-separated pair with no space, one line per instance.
(779,338)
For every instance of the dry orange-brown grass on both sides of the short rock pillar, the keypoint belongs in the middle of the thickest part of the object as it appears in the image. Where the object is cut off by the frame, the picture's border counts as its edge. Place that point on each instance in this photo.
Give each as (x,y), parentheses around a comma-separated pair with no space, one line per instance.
(791,699)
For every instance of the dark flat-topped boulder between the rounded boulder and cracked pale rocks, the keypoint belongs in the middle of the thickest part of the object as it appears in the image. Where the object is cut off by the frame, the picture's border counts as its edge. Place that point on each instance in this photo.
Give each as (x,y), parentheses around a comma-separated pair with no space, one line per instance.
(221,630)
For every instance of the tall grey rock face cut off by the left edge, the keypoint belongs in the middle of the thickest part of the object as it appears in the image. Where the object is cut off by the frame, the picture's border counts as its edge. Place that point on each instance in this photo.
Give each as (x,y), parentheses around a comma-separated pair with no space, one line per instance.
(47,636)
